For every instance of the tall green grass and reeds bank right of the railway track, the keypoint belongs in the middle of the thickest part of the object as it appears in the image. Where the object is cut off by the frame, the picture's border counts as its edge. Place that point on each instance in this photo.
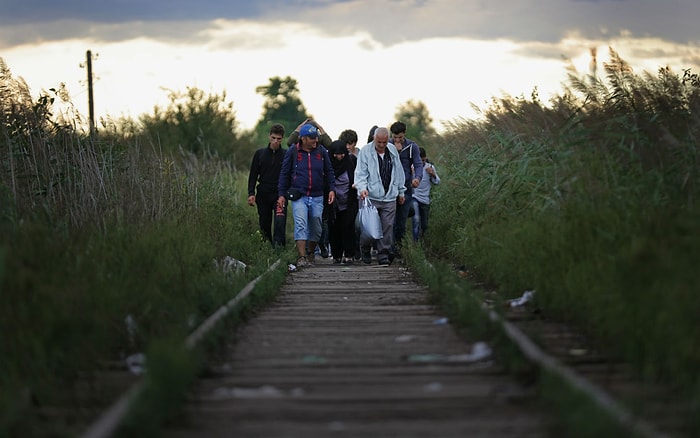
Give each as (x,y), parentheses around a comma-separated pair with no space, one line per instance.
(591,200)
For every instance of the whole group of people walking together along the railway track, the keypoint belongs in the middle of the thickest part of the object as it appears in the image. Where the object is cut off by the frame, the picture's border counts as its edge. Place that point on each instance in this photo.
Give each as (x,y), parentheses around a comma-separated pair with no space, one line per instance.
(325,182)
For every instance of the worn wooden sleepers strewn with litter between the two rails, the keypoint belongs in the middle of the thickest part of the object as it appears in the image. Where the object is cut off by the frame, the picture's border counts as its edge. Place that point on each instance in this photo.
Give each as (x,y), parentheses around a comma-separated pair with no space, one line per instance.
(355,351)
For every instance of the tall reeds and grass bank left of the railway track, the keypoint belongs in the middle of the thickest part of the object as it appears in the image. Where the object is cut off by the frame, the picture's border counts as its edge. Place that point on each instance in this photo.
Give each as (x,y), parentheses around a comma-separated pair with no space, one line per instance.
(108,246)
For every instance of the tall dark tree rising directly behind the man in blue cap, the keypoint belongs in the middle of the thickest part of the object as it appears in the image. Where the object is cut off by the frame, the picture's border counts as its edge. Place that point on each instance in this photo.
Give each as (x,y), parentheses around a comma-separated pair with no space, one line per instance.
(282,105)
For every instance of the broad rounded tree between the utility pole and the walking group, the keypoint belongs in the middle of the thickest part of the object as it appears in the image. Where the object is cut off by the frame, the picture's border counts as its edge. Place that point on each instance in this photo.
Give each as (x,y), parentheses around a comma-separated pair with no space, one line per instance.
(197,122)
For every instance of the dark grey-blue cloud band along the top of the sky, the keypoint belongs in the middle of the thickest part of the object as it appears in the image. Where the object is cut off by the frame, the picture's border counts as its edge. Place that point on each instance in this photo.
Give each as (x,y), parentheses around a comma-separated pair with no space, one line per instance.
(387,21)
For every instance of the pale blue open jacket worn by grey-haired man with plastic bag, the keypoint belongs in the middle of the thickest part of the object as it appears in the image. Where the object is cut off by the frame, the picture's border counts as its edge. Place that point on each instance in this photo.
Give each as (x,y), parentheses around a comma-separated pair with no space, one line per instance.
(367,174)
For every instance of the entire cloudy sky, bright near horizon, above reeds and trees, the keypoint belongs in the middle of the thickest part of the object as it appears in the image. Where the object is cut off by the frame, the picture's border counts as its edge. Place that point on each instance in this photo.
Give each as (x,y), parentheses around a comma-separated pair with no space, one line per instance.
(355,61)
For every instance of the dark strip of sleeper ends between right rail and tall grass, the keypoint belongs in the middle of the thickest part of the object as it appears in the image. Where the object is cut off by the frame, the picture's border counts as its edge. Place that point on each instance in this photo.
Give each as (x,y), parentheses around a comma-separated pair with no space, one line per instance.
(645,408)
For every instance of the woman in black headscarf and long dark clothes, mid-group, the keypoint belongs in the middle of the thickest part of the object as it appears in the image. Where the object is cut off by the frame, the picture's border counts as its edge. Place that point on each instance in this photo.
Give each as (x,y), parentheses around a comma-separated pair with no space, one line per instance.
(341,221)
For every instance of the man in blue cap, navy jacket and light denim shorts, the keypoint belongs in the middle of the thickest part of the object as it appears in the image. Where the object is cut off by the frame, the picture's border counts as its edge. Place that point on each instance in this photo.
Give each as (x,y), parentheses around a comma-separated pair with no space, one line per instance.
(306,174)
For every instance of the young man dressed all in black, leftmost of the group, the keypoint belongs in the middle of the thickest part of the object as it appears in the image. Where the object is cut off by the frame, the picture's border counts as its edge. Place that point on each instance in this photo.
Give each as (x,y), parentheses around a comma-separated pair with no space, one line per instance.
(265,171)
